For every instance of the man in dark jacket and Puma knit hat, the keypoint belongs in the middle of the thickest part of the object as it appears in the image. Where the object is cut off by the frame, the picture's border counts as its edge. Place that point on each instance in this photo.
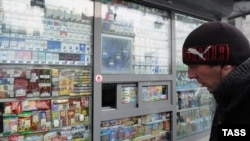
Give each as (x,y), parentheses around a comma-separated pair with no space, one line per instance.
(217,55)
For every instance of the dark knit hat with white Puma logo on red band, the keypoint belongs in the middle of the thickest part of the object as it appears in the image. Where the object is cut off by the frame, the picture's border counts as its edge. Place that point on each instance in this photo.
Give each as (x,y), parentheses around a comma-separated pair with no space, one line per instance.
(215,43)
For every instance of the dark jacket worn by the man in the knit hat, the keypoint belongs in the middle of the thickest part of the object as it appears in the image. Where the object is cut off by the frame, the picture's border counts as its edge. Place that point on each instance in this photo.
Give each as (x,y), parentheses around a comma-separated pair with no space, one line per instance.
(233,99)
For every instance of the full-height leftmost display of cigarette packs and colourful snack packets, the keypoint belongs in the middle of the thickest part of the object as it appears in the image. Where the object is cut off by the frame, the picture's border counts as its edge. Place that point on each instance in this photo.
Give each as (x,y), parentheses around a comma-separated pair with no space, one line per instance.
(46,73)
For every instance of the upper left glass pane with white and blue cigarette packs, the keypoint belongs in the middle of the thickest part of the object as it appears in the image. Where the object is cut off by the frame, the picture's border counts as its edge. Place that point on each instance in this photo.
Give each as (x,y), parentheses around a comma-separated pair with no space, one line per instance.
(46,32)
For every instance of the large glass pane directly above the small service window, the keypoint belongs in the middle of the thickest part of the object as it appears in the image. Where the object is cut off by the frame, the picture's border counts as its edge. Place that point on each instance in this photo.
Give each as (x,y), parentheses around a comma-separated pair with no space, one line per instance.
(147,44)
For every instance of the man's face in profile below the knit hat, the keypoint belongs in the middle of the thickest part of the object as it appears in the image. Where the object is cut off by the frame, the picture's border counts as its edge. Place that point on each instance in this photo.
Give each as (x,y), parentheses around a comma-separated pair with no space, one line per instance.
(207,76)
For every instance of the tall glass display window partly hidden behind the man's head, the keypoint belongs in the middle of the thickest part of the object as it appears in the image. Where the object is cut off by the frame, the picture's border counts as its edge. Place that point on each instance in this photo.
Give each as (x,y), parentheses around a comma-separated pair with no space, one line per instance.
(192,101)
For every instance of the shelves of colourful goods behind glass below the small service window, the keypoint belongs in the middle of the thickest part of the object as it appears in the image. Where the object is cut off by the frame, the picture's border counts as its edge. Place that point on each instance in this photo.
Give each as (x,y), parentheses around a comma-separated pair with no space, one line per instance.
(146,127)
